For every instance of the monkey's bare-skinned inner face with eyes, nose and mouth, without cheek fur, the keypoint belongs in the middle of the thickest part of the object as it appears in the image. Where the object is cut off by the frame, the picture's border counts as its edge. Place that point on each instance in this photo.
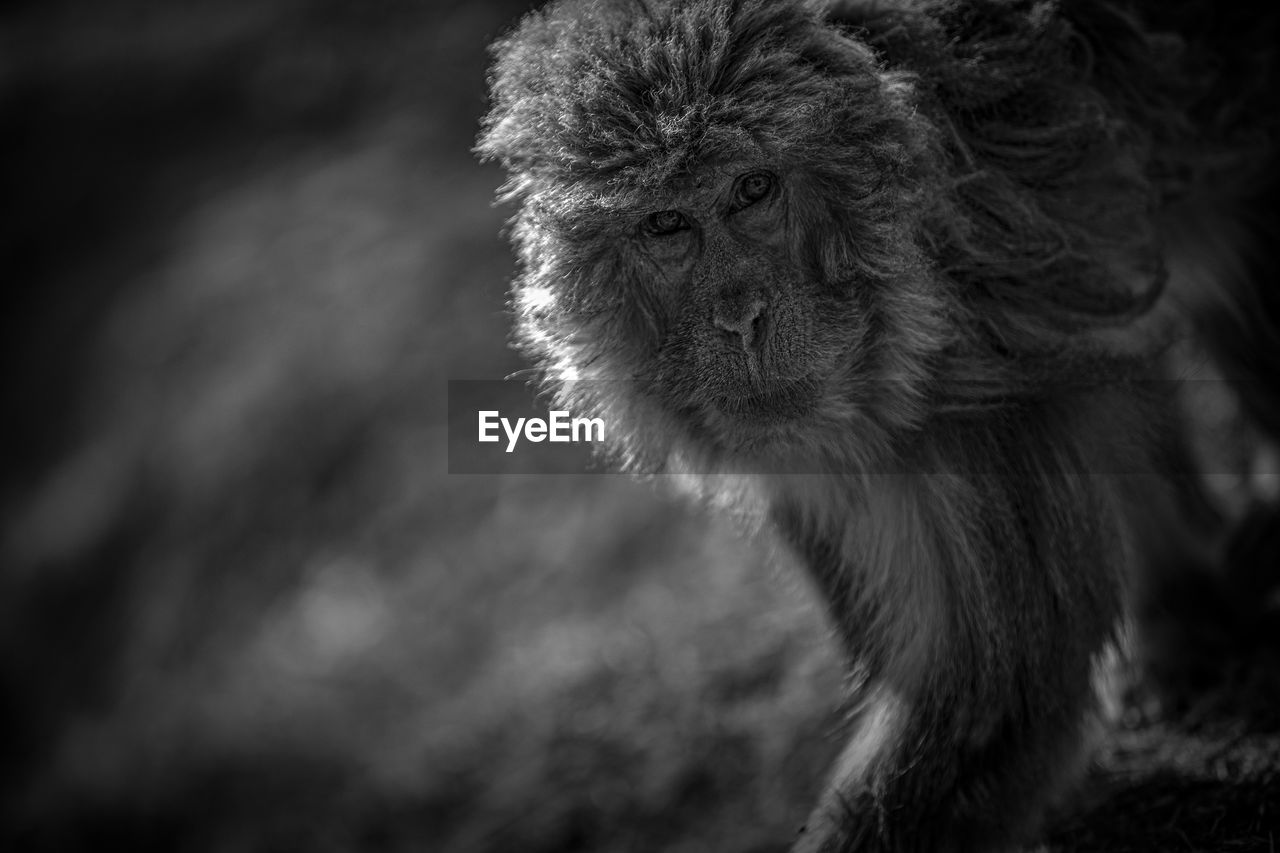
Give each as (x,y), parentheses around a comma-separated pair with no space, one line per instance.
(752,334)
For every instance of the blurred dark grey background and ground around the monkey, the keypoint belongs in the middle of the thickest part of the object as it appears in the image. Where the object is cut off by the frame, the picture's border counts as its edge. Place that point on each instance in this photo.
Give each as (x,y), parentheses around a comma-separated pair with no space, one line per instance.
(244,605)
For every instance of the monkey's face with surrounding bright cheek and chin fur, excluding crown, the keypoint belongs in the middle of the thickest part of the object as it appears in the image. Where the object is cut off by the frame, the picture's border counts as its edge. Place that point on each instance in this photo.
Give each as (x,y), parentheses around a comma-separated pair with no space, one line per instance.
(726,314)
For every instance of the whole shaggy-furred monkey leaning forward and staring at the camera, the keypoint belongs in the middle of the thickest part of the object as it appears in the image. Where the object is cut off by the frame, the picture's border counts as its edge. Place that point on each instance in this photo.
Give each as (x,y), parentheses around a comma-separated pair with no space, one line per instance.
(909,286)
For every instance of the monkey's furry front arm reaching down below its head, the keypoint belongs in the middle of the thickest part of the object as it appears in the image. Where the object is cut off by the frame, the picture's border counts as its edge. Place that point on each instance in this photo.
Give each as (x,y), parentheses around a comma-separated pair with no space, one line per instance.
(975,605)
